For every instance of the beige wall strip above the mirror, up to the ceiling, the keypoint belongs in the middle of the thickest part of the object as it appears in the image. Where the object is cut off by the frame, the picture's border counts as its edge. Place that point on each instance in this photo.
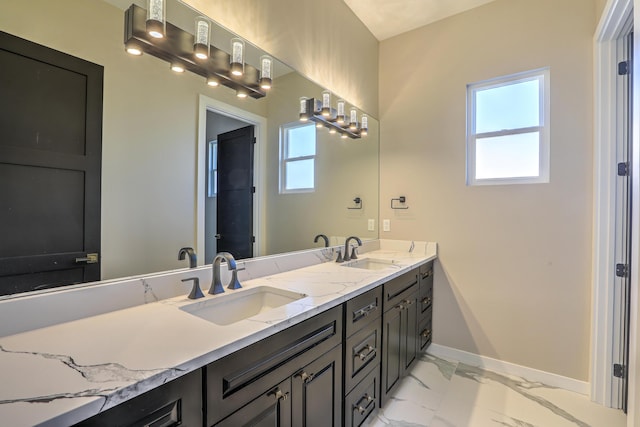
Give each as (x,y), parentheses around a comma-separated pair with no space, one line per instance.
(322,39)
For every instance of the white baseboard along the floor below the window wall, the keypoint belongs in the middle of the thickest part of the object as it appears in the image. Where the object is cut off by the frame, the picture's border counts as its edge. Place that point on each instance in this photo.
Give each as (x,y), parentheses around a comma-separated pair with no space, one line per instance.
(500,366)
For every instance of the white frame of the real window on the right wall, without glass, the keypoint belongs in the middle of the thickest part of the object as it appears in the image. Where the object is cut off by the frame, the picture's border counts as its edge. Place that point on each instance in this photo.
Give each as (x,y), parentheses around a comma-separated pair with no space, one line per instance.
(542,74)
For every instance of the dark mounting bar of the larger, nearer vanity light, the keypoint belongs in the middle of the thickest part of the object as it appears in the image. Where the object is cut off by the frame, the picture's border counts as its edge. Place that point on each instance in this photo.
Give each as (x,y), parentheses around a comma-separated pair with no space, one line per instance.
(177,45)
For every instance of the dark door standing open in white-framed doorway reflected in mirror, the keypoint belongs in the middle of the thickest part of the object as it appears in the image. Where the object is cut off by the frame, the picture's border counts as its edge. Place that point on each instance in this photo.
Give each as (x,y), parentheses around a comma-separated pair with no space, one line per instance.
(234,223)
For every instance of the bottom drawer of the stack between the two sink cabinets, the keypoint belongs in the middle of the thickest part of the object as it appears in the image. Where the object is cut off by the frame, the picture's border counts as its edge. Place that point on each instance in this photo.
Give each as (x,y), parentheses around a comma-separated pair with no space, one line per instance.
(362,402)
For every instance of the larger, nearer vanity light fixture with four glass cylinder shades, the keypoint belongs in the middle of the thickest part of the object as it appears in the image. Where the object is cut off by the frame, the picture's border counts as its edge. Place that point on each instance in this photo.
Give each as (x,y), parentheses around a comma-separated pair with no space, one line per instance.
(188,50)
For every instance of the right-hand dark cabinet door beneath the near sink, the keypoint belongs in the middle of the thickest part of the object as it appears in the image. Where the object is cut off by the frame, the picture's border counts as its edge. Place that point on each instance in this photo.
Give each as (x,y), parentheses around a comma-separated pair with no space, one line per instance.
(317,392)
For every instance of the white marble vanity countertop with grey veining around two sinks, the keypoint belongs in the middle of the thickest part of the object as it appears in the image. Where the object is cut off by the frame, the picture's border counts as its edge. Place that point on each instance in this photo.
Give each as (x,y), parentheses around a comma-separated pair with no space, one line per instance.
(60,374)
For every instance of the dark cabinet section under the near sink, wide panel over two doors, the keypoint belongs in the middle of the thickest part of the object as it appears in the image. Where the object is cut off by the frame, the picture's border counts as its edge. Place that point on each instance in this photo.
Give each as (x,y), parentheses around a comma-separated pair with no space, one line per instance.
(291,378)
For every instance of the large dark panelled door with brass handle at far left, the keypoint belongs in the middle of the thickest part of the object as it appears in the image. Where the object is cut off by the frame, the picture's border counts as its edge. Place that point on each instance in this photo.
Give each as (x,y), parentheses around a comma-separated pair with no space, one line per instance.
(50,160)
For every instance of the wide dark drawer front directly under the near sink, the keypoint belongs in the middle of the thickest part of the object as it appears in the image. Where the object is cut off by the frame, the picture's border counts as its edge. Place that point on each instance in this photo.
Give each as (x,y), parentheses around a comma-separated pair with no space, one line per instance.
(235,380)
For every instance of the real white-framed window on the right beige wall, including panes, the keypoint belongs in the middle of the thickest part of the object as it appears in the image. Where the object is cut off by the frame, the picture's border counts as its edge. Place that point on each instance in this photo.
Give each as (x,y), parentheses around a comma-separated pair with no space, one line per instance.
(508,130)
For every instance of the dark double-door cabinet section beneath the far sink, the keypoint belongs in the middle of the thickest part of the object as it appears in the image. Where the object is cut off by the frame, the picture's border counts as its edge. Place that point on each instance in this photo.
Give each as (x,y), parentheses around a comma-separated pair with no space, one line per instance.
(399,329)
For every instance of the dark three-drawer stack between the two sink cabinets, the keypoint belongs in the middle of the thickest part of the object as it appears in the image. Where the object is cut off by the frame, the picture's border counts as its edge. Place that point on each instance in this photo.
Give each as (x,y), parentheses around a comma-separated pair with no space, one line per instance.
(362,355)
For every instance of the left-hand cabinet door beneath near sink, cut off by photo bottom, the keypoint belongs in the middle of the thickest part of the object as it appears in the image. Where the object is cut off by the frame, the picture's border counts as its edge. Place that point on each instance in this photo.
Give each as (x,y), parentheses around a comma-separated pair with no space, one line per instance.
(272,408)
